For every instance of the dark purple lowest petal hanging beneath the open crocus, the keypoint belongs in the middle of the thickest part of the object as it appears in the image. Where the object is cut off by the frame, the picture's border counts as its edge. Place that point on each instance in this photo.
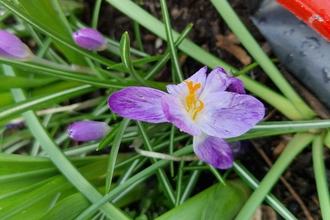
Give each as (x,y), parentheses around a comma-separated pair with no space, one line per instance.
(214,151)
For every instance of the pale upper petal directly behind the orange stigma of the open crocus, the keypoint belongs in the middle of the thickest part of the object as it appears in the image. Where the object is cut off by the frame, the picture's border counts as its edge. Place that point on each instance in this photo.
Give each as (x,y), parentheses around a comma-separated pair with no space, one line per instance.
(181,90)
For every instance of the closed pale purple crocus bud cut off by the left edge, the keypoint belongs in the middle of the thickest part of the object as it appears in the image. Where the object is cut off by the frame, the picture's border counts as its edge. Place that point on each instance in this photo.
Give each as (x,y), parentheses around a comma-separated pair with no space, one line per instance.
(12,47)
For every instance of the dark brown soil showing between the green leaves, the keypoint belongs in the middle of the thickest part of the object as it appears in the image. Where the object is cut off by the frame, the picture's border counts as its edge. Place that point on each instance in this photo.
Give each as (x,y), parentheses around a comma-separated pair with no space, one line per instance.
(207,25)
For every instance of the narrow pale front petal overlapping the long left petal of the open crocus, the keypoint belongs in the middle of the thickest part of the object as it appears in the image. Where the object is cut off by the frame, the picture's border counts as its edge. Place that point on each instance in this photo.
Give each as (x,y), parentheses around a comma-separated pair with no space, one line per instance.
(176,113)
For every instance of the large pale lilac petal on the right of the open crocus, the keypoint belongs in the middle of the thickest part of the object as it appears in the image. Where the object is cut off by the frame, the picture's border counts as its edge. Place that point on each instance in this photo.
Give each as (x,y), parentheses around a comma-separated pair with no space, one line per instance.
(228,114)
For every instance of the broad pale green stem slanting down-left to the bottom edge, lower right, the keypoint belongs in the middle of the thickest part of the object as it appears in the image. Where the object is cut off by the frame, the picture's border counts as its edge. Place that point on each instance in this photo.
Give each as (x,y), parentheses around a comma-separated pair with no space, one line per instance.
(296,145)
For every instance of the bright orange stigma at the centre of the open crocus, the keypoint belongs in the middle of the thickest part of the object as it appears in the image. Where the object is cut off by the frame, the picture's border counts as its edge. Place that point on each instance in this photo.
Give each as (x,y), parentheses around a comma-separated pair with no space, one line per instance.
(194,105)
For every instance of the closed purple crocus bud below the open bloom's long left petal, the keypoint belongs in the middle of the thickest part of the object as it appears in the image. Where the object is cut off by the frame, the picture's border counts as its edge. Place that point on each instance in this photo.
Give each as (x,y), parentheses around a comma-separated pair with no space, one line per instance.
(88,130)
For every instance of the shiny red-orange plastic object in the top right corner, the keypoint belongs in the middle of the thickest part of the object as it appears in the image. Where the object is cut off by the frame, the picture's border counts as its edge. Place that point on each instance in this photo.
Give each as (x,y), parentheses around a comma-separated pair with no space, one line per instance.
(315,13)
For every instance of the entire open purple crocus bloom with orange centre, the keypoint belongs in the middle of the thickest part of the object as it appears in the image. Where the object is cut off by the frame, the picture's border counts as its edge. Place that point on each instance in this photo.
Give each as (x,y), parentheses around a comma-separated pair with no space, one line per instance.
(199,106)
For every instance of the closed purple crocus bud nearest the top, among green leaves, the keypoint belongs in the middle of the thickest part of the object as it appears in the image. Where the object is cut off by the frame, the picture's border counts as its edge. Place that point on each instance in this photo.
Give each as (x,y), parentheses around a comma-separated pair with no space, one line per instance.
(90,39)
